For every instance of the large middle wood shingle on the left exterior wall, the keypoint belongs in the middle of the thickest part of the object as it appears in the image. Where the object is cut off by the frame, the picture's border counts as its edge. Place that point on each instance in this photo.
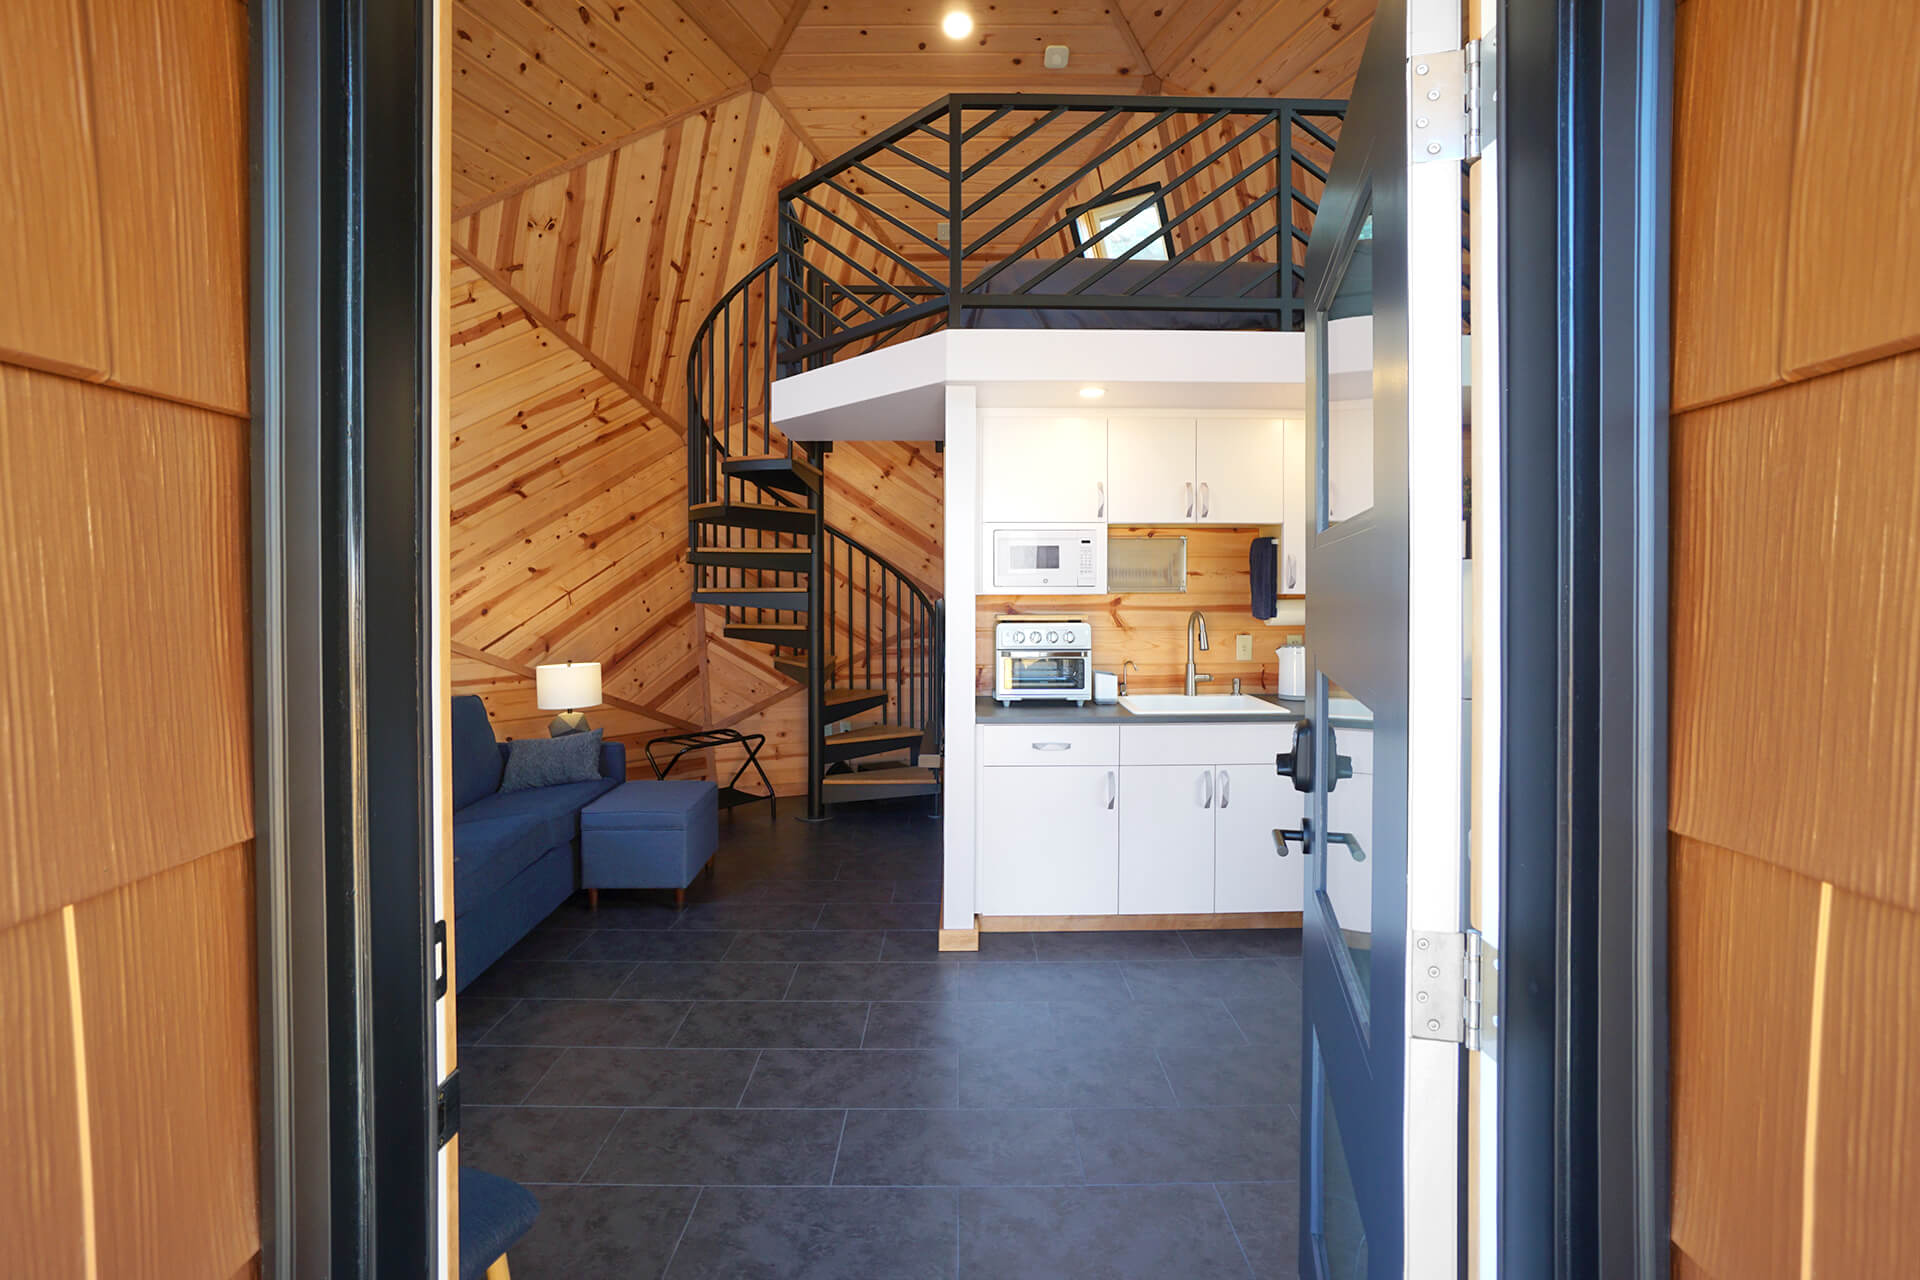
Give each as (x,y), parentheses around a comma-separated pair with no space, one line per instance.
(124,569)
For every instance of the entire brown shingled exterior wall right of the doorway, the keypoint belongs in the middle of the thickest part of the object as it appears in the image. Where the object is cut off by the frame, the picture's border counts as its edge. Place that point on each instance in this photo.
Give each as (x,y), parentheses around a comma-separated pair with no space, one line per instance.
(1796,665)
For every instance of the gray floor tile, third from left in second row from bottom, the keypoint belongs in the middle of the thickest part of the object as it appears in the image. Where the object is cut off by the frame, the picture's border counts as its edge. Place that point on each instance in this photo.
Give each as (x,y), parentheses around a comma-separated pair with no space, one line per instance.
(957,1149)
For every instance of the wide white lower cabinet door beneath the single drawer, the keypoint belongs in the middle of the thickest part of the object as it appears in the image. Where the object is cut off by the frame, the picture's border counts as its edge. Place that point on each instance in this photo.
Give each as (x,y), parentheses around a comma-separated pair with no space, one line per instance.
(1049,841)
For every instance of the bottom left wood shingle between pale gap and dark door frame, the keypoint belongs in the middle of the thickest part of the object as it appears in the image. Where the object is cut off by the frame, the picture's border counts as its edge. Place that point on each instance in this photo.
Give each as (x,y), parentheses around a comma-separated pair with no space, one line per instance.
(170,1007)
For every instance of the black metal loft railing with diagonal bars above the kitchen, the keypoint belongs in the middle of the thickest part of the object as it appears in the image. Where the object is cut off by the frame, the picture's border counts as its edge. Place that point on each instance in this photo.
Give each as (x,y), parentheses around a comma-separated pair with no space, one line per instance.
(992,202)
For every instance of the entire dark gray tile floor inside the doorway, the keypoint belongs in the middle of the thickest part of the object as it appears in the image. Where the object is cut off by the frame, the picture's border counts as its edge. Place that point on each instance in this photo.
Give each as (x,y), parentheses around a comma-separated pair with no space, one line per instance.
(790,1081)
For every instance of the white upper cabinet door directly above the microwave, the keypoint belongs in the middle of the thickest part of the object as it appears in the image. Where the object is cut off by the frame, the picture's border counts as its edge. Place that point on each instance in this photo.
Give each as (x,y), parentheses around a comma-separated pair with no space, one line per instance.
(1042,467)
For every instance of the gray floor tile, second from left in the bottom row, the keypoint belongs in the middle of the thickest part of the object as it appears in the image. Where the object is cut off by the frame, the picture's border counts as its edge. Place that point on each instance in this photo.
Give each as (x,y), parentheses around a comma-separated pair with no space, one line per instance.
(819,1235)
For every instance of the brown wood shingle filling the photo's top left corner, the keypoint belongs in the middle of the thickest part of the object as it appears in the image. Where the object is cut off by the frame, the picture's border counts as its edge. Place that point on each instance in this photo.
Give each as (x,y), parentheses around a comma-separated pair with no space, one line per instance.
(53,254)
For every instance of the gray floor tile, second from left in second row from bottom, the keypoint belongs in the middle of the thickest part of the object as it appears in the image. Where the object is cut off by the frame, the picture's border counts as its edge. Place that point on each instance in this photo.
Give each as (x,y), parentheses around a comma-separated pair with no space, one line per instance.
(721,1149)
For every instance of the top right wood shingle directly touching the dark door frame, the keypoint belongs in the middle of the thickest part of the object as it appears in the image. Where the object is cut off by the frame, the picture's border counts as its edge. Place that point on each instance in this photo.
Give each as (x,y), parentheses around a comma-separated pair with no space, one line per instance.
(1733,164)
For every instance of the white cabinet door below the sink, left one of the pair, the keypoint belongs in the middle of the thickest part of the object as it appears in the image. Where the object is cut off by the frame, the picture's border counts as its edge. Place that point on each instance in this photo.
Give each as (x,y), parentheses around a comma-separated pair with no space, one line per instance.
(1166,840)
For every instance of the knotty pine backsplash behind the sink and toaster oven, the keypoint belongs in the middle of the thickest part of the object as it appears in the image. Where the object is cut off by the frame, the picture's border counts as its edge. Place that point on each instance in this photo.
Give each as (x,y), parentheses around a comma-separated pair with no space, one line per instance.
(1151,628)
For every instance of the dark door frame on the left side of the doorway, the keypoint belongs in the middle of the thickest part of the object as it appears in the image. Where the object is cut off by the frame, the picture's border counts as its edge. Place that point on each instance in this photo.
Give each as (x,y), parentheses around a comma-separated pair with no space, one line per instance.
(341,362)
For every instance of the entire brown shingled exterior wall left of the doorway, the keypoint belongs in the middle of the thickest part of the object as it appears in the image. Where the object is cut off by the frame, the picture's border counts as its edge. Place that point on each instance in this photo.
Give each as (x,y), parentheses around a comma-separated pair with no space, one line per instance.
(128,993)
